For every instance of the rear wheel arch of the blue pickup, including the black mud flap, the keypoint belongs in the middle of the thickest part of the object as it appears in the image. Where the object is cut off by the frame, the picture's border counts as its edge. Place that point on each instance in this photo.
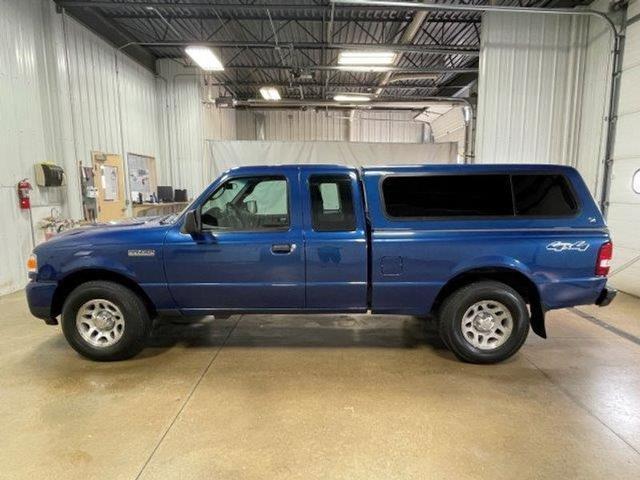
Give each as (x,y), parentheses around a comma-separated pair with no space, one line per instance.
(509,276)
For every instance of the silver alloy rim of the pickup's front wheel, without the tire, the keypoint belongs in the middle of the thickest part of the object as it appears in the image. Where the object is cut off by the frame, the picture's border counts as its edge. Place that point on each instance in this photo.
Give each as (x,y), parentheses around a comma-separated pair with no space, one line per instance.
(100,323)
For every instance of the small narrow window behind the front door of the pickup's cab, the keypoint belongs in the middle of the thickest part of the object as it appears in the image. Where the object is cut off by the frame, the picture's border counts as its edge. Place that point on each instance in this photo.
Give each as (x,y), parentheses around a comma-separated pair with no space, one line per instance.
(331,203)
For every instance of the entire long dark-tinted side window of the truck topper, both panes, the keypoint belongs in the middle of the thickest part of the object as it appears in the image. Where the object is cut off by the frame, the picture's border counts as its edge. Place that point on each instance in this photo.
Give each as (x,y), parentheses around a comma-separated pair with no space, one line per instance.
(491,195)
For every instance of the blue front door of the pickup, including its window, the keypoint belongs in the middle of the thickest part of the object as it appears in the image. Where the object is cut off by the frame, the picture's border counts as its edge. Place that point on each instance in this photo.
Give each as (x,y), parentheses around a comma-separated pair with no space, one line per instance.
(249,255)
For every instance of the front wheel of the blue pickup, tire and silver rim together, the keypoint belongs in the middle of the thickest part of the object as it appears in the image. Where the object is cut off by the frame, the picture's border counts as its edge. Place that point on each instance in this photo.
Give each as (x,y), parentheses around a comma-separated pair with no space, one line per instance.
(105,321)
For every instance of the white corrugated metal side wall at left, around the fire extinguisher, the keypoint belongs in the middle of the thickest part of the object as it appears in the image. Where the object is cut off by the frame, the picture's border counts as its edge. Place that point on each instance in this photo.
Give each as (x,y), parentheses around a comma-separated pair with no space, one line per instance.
(56,110)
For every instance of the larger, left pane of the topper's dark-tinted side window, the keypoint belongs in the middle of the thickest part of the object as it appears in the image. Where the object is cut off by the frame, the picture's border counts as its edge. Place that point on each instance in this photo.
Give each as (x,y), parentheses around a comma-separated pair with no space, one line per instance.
(447,196)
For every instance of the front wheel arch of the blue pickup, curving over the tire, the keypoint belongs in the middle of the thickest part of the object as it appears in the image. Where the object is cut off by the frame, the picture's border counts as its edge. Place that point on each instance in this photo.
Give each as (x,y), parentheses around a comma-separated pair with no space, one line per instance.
(77,278)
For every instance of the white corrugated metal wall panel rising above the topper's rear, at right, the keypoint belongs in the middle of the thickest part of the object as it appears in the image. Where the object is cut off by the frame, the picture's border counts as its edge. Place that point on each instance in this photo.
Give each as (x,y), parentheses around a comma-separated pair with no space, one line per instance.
(529,88)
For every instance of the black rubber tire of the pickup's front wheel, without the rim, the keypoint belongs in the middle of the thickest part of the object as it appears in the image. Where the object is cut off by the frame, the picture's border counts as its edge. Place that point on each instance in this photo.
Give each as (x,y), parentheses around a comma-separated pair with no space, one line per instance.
(135,319)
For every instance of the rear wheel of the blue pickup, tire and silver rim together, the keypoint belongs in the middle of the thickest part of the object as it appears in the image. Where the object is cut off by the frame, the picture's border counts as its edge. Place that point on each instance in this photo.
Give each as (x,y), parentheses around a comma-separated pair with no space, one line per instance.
(485,322)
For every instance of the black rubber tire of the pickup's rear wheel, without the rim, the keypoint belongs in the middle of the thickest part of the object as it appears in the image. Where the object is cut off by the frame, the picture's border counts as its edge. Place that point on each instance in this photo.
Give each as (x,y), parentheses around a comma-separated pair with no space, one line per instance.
(461,301)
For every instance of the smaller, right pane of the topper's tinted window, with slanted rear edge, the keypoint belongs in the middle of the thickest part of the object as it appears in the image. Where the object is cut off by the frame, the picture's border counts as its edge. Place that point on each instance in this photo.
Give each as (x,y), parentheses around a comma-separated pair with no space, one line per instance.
(543,196)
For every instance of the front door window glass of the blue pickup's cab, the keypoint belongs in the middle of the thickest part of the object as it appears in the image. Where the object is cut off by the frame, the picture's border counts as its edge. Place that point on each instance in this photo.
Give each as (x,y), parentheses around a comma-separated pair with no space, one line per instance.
(248,204)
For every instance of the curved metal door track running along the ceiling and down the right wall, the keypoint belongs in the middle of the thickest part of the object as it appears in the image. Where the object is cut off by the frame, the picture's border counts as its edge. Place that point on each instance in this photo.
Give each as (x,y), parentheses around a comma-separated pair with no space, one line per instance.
(617,40)
